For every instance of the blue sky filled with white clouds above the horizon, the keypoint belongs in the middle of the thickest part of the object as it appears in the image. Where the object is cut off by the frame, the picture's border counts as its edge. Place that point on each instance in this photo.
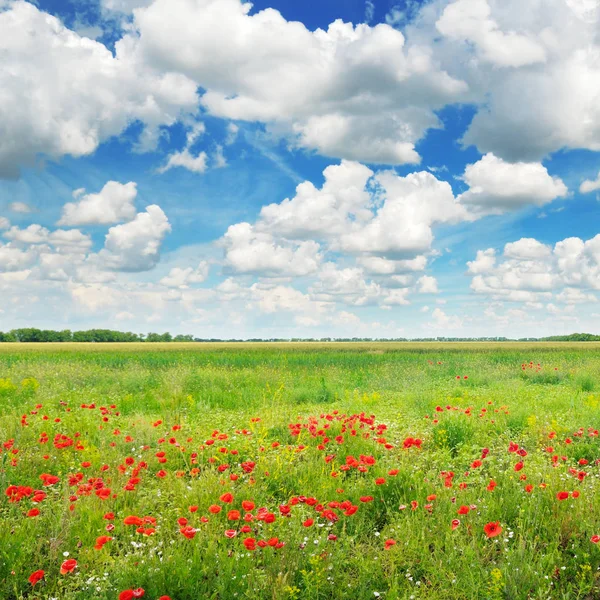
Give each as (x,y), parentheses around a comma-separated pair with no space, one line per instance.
(328,168)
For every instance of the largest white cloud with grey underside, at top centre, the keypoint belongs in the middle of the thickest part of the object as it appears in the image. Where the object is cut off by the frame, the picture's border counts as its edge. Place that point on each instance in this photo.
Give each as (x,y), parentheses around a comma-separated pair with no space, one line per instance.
(330,88)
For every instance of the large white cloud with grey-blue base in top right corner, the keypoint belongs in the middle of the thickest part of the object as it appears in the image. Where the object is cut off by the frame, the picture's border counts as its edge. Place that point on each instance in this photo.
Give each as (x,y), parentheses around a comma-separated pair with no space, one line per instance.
(543,98)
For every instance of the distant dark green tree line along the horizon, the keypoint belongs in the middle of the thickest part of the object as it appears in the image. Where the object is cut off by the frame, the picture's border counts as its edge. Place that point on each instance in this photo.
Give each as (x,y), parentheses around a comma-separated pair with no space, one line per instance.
(30,334)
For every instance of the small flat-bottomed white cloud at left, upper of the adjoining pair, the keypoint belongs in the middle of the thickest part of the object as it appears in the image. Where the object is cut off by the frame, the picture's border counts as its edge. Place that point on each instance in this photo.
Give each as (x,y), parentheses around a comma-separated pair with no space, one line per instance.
(113,204)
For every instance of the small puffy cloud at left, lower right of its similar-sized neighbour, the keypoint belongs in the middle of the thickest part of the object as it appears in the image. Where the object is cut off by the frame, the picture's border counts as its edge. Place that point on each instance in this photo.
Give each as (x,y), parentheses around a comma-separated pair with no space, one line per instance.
(135,246)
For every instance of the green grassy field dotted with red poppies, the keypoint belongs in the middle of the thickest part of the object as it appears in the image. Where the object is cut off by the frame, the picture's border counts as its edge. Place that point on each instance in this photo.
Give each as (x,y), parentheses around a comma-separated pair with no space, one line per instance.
(301,471)
